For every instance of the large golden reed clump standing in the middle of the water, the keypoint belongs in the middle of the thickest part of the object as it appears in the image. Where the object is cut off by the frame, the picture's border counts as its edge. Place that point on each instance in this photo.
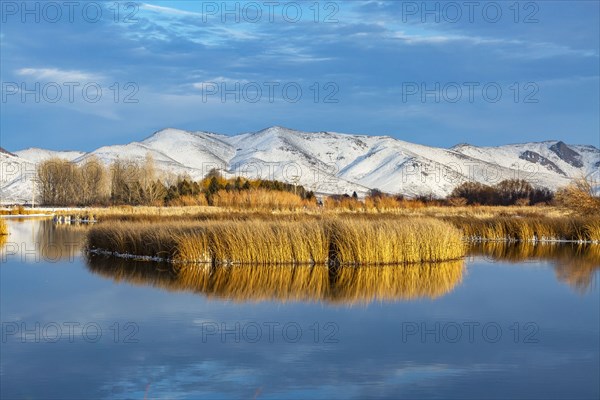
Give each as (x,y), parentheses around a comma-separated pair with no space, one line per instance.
(315,241)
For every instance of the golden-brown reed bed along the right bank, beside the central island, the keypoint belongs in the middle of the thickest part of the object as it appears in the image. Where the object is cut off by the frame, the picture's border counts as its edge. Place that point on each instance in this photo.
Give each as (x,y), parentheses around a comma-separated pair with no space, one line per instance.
(529,228)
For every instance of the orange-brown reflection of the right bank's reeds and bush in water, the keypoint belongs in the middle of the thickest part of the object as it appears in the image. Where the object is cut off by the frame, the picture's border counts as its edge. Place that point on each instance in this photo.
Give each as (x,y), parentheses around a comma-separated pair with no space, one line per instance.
(574,264)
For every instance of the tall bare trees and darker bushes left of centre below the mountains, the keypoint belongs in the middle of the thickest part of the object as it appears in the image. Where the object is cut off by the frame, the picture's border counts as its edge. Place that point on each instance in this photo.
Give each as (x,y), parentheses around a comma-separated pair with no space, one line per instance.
(63,183)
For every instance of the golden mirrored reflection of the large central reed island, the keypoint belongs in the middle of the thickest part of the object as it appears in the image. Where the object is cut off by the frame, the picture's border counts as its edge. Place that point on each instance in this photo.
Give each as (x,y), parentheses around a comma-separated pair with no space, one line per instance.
(345,285)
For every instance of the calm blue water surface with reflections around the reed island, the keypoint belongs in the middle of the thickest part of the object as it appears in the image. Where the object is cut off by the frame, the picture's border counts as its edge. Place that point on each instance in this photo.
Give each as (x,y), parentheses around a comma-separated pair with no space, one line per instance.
(506,322)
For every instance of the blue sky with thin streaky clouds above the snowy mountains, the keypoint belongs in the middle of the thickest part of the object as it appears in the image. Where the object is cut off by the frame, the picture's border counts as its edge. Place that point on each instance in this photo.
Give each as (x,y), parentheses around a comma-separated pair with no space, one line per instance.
(81,75)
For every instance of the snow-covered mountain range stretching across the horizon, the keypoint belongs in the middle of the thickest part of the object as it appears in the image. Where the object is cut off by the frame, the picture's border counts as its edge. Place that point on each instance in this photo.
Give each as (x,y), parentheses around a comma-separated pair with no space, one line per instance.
(327,162)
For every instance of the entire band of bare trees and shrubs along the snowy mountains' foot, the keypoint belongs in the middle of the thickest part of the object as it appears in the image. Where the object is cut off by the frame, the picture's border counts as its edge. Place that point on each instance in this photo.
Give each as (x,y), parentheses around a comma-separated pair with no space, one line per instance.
(64,183)
